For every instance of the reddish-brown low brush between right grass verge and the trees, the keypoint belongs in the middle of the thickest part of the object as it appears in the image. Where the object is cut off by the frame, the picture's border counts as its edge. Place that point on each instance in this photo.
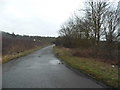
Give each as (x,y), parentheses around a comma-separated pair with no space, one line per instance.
(98,54)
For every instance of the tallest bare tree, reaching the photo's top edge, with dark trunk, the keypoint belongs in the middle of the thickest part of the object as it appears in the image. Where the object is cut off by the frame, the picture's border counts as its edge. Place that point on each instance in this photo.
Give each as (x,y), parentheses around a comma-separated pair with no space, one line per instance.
(97,10)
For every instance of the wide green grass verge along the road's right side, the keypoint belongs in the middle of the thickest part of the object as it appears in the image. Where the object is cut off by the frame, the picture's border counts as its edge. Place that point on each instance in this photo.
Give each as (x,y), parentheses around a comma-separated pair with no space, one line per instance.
(99,70)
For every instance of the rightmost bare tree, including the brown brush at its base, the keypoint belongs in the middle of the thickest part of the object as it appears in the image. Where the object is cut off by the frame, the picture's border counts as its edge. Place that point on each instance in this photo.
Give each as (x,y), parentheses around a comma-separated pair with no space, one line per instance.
(110,31)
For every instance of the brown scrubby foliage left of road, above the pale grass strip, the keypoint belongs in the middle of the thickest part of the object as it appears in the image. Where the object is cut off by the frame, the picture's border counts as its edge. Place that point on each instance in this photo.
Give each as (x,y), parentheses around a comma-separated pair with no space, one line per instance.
(12,44)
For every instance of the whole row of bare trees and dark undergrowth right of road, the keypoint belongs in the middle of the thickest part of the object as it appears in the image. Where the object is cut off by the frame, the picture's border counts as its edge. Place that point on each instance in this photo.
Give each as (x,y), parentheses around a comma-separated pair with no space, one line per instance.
(98,29)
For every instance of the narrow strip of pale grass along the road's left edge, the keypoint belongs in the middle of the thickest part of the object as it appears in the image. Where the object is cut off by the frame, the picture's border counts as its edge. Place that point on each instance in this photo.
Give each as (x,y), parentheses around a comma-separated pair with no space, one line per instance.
(7,58)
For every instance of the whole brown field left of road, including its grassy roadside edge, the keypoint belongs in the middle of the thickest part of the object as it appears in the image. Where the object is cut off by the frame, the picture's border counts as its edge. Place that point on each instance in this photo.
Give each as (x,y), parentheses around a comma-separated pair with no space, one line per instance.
(14,46)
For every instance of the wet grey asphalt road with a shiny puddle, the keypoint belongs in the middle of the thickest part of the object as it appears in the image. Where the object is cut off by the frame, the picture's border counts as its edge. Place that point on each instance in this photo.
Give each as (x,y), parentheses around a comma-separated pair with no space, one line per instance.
(41,69)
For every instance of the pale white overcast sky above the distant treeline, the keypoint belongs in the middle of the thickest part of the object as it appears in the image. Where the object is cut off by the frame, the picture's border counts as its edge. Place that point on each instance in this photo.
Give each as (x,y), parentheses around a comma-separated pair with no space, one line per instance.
(36,17)
